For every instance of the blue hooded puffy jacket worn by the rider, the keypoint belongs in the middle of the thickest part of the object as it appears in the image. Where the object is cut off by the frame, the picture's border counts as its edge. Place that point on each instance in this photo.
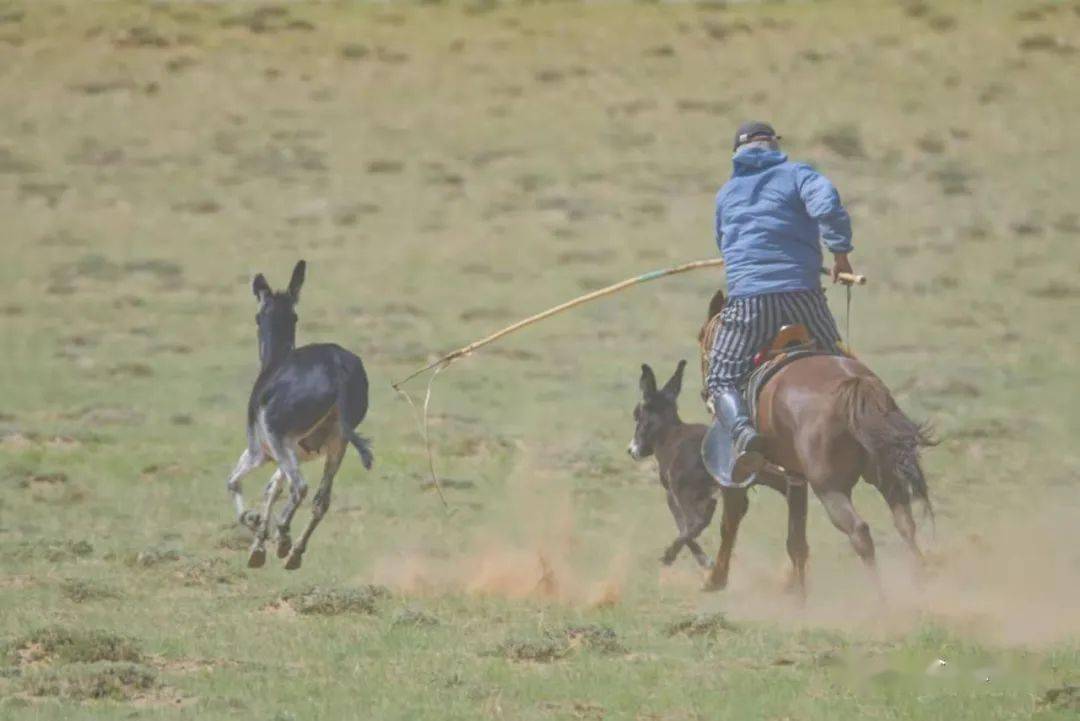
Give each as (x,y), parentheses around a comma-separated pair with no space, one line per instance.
(769,217)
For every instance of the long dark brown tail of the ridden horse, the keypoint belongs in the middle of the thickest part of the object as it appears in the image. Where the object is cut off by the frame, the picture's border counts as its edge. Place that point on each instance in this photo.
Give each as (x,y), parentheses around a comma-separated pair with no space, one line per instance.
(889,438)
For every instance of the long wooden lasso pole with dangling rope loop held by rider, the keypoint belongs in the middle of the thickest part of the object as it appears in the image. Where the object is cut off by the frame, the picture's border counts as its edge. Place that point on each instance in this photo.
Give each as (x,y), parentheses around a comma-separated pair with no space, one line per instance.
(445,361)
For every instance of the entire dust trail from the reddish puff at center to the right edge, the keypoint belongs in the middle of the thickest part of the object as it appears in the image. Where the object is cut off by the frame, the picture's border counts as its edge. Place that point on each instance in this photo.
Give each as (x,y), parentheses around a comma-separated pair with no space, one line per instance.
(1015,581)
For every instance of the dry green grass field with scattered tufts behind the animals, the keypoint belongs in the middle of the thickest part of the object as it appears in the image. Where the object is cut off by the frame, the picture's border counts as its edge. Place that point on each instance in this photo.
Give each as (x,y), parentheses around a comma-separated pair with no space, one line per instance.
(449,169)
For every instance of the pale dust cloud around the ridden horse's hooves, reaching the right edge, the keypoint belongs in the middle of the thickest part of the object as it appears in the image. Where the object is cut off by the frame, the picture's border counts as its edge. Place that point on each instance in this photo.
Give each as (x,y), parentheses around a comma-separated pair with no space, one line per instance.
(1015,581)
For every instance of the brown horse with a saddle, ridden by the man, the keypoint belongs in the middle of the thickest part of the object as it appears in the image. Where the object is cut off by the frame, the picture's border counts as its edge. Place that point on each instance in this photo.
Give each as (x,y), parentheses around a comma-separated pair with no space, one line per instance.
(830,421)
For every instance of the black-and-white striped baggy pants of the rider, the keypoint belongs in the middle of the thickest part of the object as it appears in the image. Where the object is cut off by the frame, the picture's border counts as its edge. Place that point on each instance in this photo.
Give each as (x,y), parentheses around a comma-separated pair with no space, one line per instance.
(752,322)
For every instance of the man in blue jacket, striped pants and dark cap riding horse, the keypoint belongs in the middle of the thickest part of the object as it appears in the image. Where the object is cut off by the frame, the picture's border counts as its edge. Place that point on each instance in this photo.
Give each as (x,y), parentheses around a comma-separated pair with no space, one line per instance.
(772,219)
